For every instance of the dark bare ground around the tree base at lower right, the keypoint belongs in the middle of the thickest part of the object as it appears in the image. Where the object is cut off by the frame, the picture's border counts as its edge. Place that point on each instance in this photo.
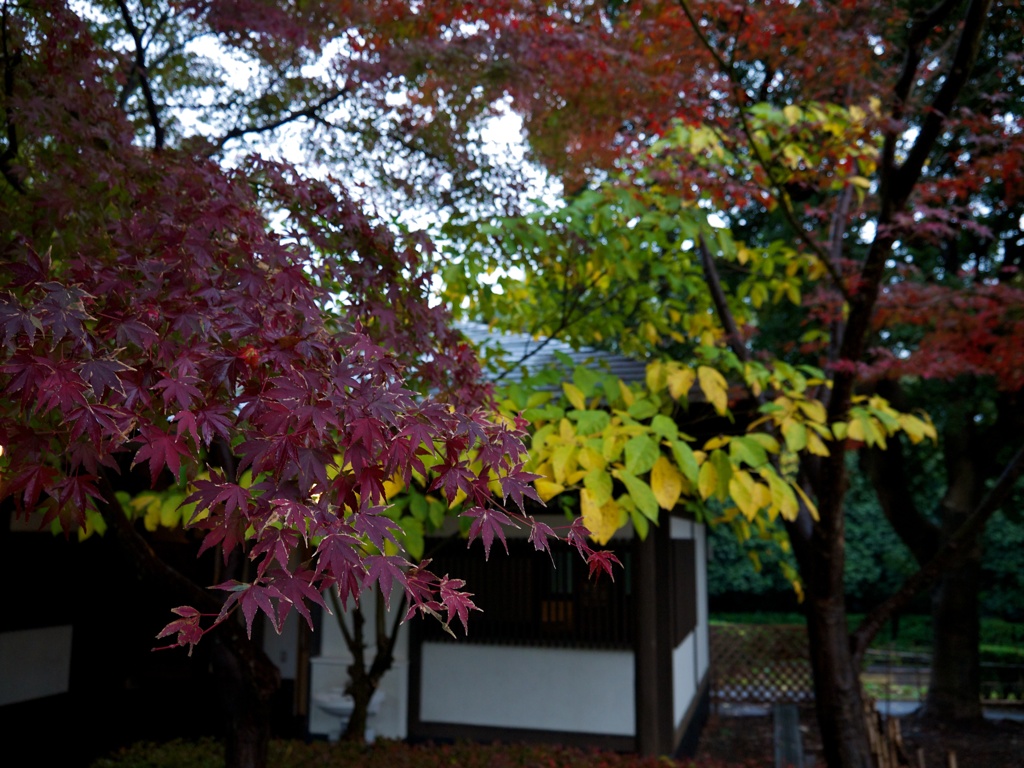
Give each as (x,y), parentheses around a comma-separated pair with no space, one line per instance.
(747,741)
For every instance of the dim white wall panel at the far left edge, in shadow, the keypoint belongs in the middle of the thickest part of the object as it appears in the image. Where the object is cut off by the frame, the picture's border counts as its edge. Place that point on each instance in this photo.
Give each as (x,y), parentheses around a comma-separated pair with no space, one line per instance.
(35,663)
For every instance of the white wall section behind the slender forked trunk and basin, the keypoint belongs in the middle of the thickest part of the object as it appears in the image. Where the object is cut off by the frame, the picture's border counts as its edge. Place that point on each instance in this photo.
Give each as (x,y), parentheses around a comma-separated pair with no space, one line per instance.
(330,670)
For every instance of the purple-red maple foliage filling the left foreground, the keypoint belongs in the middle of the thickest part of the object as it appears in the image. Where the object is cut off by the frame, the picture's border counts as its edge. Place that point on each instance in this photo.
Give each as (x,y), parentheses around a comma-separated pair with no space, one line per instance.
(157,330)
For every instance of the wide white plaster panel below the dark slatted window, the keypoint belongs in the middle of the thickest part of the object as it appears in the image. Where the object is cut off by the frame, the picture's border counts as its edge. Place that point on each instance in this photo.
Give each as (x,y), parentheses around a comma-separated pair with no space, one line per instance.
(563,690)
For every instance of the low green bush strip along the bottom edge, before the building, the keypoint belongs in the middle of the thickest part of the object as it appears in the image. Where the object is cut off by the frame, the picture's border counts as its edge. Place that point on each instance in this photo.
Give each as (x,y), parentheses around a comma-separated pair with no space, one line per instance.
(388,754)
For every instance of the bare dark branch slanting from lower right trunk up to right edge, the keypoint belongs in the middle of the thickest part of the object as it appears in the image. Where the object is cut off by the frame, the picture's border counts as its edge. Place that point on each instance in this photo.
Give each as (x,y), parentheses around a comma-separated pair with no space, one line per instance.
(955,545)
